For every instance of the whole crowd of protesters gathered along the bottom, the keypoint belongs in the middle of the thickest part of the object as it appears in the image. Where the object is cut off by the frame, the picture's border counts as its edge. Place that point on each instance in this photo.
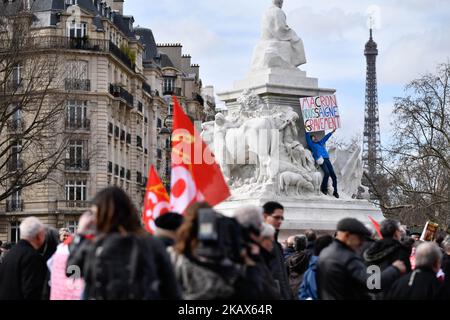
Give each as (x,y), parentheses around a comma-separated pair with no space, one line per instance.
(204,255)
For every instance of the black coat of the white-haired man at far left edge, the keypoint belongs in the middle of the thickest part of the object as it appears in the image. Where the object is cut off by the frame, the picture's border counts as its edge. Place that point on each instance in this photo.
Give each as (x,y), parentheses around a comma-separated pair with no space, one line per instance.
(22,273)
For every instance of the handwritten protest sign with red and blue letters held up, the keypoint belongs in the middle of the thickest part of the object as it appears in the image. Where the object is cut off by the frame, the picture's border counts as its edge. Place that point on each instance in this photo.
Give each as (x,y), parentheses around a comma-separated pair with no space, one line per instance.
(320,113)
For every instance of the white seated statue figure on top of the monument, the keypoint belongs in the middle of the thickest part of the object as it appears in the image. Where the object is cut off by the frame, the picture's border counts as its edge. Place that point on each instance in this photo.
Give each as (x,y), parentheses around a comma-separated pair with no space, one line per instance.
(280,46)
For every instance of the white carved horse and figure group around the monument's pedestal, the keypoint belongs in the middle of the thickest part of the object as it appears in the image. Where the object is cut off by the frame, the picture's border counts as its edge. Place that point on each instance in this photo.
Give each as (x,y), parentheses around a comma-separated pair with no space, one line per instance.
(259,153)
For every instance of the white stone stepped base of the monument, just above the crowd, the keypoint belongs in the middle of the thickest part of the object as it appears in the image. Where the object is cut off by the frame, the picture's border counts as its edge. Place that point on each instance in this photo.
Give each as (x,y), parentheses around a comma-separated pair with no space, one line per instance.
(320,213)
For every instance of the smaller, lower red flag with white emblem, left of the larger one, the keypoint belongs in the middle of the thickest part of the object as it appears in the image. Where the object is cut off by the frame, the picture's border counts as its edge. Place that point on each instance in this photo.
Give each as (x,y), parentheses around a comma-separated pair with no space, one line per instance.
(156,201)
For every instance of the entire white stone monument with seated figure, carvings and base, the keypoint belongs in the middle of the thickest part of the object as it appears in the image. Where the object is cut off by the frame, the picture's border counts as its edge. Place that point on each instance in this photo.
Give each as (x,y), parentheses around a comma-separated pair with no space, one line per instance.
(260,143)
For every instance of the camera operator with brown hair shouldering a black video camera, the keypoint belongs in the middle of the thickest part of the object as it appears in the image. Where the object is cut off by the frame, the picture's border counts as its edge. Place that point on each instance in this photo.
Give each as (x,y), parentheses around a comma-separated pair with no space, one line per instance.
(202,277)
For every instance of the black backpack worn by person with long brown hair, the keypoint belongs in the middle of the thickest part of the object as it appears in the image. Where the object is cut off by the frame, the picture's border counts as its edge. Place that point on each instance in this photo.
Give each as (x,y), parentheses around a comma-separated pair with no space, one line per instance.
(121,268)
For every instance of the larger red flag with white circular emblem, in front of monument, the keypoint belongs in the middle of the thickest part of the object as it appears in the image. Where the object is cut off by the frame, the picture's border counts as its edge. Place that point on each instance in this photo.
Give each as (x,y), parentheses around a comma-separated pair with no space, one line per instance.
(195,174)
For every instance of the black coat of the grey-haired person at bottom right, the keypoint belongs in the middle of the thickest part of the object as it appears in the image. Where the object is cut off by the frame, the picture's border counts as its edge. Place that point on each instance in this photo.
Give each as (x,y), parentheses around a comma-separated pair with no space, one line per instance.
(420,284)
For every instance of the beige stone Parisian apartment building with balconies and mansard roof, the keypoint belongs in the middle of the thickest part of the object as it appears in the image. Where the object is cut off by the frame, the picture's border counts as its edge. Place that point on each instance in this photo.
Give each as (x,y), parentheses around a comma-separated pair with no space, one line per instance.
(116,83)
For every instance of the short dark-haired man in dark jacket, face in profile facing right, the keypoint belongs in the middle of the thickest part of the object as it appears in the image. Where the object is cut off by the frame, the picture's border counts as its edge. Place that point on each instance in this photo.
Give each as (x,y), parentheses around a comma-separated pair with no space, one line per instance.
(274,215)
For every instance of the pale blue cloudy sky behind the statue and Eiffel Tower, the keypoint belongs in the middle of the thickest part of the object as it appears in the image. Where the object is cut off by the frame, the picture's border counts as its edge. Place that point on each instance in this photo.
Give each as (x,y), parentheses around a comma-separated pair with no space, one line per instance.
(412,37)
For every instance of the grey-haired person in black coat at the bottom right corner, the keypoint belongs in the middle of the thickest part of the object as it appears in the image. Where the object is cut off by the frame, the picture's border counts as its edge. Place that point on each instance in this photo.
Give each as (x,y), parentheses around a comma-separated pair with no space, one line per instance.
(421,283)
